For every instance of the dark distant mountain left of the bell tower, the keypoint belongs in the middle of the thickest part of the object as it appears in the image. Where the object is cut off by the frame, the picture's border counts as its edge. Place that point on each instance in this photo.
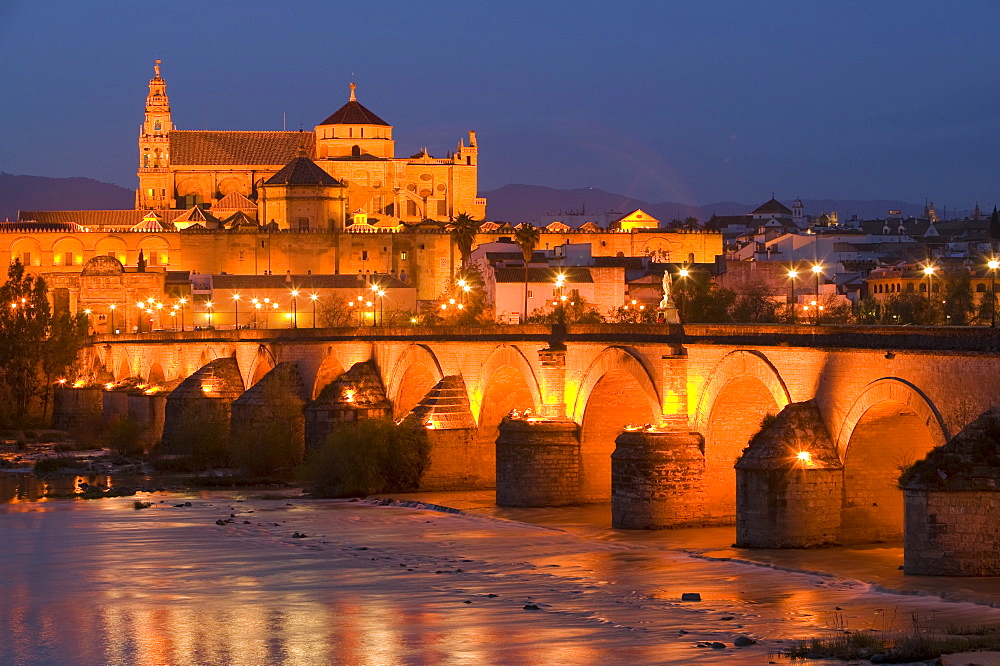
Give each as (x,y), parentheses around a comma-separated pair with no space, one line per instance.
(41,193)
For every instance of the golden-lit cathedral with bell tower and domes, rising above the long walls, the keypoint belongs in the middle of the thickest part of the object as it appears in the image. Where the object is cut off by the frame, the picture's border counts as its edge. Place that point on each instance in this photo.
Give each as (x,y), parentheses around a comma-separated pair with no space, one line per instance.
(346,165)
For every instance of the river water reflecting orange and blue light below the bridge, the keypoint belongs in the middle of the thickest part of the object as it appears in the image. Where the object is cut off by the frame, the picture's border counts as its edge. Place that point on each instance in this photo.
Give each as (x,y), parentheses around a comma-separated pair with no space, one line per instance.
(101,582)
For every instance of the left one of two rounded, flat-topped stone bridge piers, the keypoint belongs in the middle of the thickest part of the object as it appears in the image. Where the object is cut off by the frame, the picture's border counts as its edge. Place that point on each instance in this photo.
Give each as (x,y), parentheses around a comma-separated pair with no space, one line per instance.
(538,463)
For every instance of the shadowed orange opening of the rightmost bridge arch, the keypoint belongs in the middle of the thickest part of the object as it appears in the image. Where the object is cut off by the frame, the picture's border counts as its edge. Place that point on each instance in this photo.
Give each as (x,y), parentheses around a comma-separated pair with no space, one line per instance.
(889,437)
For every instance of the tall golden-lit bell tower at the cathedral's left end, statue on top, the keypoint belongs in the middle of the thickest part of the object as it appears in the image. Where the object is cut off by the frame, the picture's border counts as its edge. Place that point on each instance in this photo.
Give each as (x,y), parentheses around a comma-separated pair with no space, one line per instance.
(155,188)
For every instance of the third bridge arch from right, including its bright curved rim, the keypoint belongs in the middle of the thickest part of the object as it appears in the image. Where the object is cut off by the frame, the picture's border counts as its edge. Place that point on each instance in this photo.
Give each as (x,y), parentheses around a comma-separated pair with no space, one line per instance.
(617,390)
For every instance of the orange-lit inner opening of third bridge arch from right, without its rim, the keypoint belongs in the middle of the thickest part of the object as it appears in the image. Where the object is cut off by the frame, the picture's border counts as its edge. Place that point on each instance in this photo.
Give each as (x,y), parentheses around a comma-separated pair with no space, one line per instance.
(615,401)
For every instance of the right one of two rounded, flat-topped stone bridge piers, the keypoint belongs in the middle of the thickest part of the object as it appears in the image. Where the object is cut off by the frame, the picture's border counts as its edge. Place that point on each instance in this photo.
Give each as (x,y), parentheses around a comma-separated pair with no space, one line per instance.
(657,480)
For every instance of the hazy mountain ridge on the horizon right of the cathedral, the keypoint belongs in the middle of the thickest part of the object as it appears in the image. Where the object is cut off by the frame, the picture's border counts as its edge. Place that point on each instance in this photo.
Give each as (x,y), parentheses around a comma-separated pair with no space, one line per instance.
(536,204)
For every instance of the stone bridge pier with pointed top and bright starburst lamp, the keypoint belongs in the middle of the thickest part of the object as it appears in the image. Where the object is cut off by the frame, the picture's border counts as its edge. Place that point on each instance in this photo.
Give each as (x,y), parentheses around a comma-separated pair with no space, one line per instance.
(789,483)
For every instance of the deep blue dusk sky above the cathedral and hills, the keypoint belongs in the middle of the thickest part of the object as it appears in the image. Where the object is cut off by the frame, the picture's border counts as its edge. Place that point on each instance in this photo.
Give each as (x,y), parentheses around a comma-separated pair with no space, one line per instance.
(690,102)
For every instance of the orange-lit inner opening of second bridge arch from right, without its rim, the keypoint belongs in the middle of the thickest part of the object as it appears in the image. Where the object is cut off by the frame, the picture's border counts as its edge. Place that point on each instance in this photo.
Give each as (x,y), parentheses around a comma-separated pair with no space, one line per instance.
(736,416)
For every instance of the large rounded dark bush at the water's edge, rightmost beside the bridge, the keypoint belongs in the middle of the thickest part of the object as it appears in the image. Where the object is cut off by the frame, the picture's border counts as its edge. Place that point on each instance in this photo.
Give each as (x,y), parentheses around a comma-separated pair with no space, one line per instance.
(369,456)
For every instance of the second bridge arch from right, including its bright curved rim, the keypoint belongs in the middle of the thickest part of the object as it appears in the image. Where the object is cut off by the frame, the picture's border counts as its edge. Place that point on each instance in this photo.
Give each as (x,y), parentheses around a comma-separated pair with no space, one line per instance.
(742,387)
